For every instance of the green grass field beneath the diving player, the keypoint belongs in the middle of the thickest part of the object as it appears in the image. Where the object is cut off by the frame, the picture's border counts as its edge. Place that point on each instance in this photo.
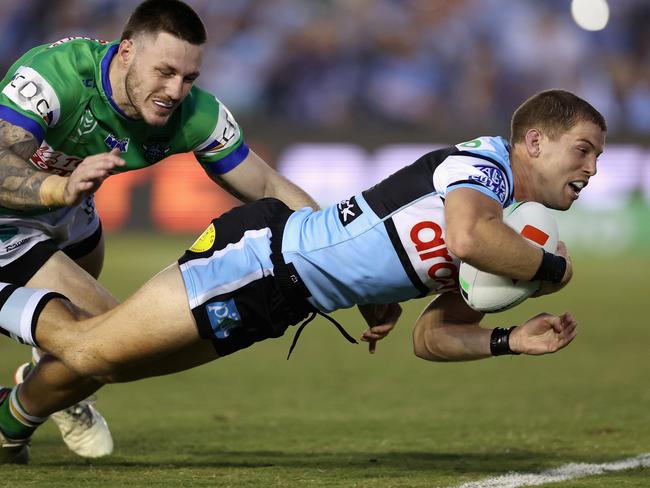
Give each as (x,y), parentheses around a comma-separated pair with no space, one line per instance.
(335,416)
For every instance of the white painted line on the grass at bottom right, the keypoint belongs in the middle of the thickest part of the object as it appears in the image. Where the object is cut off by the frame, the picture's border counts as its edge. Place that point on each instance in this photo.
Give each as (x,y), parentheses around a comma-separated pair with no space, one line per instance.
(563,473)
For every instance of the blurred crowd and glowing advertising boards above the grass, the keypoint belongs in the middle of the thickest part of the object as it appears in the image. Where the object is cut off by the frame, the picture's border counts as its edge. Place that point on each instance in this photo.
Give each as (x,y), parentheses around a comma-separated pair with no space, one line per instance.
(337,94)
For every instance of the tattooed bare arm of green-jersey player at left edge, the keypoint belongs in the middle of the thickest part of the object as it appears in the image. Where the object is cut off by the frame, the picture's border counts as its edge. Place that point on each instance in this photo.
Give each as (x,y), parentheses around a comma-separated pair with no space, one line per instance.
(20,181)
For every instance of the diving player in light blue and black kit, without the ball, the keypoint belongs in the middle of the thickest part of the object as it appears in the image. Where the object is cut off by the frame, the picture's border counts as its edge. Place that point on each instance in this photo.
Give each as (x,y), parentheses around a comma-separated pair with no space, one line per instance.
(262,267)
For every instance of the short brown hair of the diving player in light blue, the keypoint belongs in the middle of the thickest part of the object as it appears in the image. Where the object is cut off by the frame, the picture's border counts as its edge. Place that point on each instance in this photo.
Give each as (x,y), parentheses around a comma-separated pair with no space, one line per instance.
(553,112)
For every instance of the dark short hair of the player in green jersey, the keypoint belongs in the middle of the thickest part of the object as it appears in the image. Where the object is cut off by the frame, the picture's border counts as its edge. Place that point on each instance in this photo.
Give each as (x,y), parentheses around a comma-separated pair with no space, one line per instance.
(171,16)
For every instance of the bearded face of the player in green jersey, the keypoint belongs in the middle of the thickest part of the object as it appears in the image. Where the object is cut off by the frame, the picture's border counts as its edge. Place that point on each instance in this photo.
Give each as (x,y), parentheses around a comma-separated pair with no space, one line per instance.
(160,75)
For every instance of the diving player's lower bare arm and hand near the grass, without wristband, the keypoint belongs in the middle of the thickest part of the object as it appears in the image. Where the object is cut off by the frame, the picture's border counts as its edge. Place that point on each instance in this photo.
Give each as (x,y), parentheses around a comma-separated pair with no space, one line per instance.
(448,330)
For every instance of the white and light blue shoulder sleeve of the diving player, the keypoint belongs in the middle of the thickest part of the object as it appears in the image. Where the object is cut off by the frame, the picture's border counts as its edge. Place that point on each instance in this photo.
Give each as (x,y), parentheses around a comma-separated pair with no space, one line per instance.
(471,171)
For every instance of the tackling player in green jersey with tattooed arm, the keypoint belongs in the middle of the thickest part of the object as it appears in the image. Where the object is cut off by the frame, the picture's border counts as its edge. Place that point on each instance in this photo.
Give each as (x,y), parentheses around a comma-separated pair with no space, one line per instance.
(74,112)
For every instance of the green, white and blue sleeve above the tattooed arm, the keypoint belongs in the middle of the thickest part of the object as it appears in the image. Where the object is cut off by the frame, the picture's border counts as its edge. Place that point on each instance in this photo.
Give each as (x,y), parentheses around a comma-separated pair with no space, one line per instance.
(35,90)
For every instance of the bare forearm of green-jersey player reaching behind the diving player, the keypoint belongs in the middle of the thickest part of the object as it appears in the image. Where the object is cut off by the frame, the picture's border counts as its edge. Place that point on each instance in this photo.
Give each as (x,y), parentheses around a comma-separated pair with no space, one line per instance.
(253,179)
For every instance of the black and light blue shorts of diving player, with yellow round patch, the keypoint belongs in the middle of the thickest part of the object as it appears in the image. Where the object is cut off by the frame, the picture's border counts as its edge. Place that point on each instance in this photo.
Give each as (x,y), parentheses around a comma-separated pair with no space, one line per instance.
(239,288)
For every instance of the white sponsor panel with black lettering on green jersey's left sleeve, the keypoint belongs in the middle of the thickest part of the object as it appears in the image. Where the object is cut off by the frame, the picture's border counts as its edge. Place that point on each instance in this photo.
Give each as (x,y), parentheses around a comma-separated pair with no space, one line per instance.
(32,93)
